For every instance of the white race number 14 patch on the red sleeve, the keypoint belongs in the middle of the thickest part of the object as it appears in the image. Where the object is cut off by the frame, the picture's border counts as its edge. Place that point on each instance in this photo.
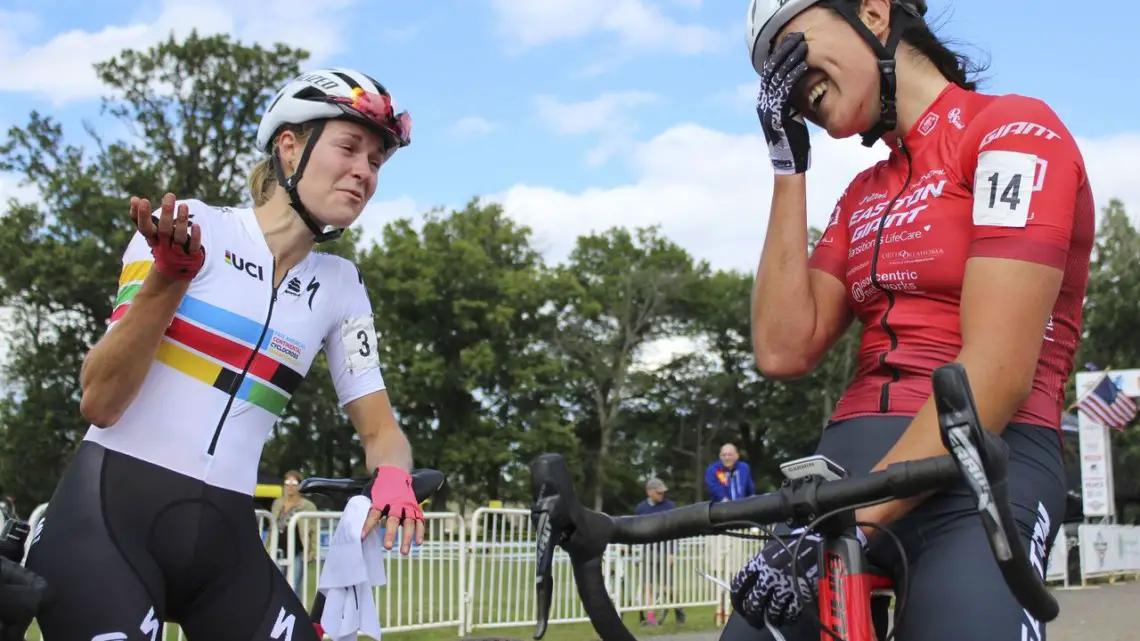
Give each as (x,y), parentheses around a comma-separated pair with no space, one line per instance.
(1004,186)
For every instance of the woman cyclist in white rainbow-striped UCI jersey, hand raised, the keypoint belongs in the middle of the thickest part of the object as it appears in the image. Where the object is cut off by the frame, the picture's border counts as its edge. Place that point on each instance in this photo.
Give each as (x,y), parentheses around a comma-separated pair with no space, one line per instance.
(219,315)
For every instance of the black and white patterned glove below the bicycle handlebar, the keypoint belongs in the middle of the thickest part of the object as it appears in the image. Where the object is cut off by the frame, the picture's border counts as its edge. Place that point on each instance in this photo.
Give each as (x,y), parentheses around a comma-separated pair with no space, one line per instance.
(766,588)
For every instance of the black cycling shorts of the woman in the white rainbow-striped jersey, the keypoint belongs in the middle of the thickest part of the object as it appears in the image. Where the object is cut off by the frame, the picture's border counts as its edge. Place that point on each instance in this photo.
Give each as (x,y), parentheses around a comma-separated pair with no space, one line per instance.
(127,546)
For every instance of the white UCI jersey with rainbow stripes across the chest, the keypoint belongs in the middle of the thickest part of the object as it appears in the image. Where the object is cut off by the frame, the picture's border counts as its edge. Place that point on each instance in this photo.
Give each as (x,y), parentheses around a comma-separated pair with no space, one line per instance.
(238,350)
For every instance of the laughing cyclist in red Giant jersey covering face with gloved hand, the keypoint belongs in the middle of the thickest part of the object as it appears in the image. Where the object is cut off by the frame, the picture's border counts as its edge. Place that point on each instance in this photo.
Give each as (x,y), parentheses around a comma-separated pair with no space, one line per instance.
(971,244)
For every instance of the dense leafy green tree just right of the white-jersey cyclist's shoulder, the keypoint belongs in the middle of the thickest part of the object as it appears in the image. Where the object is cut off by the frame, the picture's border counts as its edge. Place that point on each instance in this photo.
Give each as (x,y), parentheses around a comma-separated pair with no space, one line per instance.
(460,315)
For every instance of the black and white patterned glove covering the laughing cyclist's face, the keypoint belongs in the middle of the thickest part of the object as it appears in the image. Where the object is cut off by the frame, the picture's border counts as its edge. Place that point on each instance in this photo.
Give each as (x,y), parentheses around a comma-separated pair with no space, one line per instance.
(789,144)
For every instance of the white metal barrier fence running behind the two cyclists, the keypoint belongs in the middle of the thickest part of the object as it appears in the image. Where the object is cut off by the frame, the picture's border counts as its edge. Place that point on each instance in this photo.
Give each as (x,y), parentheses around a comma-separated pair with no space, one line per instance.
(485,579)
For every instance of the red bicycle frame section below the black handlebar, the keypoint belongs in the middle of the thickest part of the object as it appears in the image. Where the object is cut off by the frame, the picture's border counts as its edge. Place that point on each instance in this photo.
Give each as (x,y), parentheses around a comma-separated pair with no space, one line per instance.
(854,596)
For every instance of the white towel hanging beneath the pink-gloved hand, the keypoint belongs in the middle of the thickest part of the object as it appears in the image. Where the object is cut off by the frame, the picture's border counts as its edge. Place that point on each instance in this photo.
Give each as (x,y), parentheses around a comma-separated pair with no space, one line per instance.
(353,569)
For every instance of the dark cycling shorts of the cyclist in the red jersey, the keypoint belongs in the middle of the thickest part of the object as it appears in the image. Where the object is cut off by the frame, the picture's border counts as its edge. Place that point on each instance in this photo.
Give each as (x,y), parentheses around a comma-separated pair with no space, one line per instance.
(957,591)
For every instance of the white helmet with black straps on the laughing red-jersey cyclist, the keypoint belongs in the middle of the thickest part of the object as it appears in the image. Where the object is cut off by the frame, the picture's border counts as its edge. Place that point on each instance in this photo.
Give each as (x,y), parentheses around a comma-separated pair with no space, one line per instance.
(768,18)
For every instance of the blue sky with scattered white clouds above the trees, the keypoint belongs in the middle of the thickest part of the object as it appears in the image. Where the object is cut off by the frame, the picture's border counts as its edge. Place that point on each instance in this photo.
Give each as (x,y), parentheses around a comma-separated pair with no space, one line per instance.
(579,115)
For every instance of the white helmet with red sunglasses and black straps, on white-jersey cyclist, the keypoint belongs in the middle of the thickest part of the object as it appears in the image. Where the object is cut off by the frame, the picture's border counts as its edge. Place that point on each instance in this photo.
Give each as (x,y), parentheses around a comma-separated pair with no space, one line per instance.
(322,95)
